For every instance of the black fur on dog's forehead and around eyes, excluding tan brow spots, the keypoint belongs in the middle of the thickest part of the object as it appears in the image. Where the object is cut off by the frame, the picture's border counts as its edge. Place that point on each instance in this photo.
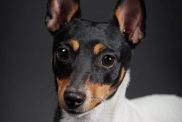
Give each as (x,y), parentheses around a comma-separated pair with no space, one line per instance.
(84,61)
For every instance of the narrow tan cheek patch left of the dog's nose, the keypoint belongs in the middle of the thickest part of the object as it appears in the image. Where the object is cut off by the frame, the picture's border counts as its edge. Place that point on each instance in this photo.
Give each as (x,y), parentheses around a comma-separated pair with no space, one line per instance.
(62,85)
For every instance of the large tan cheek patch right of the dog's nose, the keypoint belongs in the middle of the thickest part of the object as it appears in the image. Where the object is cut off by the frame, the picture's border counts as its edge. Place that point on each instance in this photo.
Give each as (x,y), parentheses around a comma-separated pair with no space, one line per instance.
(98,92)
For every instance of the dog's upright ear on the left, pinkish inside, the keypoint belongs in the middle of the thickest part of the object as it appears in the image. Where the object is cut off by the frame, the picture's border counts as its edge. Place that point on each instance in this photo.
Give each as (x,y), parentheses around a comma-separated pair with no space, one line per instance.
(60,12)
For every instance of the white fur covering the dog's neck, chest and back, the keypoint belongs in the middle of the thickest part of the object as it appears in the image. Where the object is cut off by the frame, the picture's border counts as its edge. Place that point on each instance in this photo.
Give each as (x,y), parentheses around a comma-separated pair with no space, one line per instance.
(154,108)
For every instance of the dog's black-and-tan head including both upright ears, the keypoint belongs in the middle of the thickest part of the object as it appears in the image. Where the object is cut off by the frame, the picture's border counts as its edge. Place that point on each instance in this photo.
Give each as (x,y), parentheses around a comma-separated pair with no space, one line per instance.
(89,58)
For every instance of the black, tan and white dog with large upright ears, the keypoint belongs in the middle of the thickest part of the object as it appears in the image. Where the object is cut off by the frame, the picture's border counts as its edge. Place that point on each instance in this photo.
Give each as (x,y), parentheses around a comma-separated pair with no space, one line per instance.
(91,66)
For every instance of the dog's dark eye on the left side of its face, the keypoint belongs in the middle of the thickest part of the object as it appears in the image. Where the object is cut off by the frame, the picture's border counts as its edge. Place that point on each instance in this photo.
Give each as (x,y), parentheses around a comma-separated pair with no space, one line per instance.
(63,54)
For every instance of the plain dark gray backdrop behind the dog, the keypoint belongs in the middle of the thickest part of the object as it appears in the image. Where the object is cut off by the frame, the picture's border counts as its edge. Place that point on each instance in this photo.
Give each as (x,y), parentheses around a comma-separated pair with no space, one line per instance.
(26,79)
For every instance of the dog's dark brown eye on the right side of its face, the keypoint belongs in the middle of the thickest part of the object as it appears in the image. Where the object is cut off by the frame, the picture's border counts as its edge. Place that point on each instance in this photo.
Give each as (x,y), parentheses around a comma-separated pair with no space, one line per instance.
(108,61)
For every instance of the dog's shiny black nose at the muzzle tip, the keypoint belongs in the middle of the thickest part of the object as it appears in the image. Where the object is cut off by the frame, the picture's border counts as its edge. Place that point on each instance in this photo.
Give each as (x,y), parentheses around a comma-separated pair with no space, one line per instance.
(74,99)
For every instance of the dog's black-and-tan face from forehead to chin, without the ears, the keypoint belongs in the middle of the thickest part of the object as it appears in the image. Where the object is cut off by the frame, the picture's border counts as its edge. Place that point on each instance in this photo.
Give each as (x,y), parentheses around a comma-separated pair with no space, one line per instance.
(89,61)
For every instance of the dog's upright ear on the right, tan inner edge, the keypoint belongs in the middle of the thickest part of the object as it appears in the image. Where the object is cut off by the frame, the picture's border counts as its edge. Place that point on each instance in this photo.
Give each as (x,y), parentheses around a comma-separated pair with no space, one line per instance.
(130,15)
